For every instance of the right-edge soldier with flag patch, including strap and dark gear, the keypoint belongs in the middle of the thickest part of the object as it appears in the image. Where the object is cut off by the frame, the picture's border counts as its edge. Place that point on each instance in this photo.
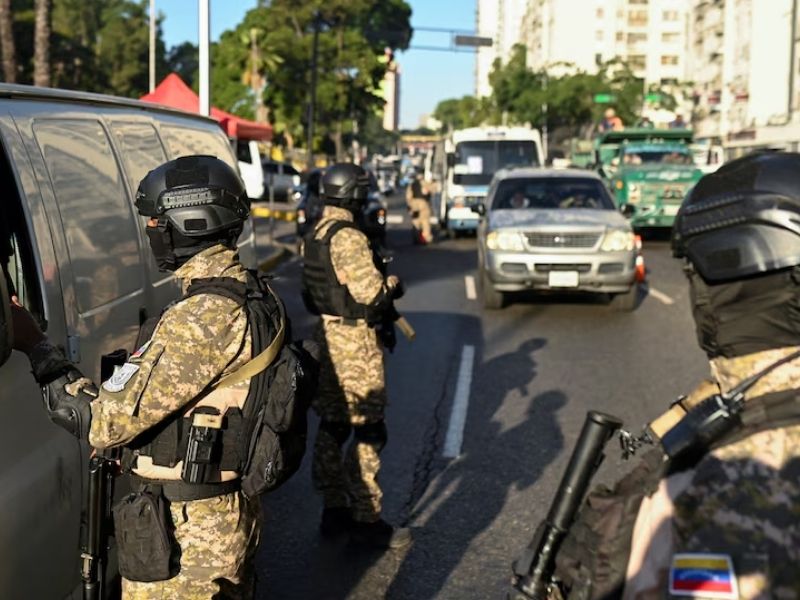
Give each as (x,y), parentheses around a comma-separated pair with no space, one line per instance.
(721,514)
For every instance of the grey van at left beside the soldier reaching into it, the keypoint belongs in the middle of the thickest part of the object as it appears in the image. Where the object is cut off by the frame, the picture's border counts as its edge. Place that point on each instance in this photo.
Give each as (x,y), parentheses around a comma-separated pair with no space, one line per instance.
(77,255)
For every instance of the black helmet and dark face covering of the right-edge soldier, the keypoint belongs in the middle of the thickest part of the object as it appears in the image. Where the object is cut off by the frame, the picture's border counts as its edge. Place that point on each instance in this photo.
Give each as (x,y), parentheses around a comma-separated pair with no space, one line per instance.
(739,231)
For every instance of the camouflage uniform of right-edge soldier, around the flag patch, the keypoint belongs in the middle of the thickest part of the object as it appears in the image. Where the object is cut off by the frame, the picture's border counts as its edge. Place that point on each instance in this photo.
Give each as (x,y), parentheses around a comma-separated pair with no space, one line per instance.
(742,500)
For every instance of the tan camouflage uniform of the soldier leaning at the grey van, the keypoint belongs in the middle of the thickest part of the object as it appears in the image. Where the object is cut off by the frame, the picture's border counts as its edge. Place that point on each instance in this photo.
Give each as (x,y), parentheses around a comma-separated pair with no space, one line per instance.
(196,341)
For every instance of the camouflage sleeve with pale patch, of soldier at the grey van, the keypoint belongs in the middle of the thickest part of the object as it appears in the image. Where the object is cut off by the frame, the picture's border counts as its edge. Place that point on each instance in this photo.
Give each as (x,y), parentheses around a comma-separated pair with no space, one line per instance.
(192,345)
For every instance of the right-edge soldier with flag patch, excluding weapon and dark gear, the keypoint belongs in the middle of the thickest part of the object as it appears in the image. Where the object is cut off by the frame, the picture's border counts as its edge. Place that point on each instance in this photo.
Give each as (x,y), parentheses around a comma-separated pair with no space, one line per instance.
(731,524)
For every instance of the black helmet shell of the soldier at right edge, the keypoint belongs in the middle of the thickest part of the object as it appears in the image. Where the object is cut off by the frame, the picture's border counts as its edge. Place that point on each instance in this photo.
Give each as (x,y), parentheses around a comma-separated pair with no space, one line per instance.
(743,219)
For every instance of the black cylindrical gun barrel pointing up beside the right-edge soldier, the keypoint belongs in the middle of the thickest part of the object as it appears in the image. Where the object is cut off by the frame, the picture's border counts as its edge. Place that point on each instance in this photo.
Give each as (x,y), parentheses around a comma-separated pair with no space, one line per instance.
(533,570)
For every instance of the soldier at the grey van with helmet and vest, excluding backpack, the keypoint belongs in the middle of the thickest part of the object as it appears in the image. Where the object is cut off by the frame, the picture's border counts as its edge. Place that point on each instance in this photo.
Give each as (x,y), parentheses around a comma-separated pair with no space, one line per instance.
(154,404)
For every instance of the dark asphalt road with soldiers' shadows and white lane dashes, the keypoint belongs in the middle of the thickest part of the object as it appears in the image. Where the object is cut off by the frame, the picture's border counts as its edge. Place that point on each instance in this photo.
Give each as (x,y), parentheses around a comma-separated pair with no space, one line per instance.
(527,374)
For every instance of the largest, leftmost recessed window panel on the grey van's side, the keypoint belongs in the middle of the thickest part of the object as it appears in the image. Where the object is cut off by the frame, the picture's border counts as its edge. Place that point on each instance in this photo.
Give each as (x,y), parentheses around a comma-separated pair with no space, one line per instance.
(94,208)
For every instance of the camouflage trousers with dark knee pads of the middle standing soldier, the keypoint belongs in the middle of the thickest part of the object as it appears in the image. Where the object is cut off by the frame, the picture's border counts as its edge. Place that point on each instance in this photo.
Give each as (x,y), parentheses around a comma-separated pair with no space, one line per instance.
(351,393)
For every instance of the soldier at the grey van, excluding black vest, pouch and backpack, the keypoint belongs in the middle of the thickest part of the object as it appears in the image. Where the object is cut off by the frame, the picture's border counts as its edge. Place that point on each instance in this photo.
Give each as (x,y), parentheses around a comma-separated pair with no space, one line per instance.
(196,342)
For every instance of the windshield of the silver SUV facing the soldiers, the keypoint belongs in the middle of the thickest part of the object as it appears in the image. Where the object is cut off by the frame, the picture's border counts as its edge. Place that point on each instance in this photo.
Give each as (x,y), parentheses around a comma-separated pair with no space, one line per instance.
(552,193)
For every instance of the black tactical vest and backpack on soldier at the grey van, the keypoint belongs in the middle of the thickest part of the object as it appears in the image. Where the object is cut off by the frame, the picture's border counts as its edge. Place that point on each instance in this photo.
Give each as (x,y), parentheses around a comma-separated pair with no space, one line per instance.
(271,408)
